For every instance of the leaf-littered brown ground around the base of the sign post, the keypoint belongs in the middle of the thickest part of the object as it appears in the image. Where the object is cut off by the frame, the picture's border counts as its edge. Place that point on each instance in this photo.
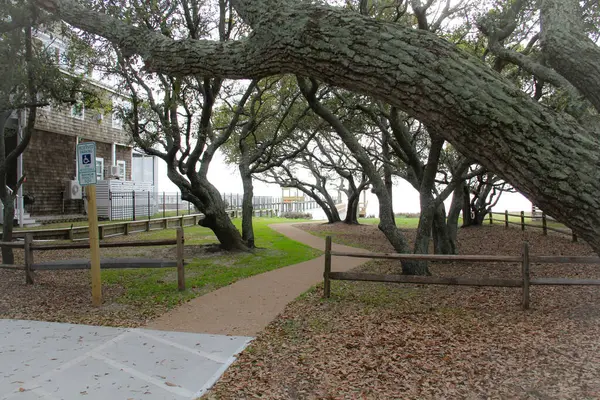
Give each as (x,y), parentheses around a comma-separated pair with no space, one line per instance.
(65,296)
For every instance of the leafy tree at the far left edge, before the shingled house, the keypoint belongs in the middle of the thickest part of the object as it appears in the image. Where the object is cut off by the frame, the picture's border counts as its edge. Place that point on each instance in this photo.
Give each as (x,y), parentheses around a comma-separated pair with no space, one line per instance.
(31,78)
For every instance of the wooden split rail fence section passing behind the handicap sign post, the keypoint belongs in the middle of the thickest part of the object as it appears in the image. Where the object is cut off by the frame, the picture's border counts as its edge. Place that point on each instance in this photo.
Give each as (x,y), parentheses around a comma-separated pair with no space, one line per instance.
(29,246)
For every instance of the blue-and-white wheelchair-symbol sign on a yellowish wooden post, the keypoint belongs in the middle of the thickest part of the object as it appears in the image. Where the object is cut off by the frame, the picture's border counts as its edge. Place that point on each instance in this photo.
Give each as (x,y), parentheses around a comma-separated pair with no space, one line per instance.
(86,158)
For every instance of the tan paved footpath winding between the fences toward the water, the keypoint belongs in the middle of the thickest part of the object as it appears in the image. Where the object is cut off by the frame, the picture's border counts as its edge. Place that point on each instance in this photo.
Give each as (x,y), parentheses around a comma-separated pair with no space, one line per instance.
(246,307)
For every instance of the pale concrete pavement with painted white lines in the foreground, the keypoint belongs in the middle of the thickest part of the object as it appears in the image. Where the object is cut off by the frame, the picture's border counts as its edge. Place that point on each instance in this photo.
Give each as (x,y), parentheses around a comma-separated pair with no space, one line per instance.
(51,361)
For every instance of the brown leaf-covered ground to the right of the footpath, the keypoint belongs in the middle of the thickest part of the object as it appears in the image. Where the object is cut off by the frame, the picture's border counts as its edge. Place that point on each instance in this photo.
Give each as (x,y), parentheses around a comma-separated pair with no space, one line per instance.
(384,341)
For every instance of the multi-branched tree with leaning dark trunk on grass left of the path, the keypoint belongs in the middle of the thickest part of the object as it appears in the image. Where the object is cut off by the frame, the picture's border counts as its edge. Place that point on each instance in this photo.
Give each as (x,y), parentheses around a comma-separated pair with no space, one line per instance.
(171,117)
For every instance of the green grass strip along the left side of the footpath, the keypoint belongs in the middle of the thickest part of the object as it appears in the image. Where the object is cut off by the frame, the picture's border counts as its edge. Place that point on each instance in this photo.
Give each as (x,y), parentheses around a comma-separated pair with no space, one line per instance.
(150,287)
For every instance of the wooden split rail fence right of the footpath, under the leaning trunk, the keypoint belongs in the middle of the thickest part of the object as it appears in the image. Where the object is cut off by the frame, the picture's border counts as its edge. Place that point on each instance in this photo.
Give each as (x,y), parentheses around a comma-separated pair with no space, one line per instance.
(525,259)
